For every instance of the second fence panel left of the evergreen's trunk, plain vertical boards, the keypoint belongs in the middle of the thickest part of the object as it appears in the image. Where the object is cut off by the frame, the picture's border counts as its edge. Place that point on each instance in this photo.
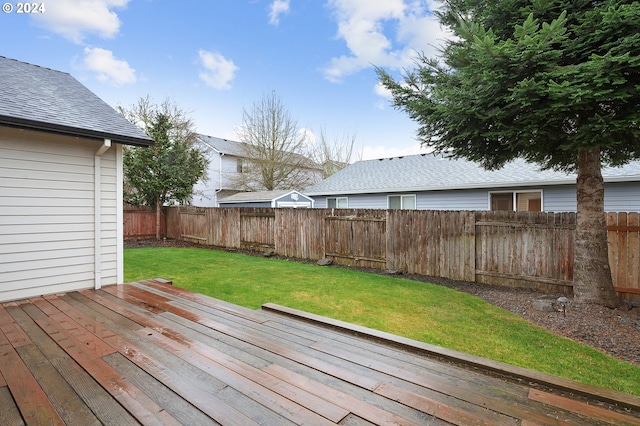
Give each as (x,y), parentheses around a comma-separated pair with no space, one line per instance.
(433,243)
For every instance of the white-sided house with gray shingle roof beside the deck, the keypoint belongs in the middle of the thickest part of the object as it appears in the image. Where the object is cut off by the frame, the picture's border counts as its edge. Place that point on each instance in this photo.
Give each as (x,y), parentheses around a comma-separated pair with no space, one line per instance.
(61,218)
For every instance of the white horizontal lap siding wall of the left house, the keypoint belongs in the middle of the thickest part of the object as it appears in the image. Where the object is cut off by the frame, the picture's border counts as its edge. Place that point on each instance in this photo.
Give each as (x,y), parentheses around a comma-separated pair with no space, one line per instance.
(47,214)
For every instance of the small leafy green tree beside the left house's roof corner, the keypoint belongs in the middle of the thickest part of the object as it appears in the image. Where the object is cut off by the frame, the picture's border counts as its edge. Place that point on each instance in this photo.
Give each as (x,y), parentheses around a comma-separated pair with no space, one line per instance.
(166,172)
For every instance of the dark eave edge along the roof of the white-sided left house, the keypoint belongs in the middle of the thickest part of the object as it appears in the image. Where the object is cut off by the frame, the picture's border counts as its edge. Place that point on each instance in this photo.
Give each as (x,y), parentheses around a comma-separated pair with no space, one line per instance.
(73,131)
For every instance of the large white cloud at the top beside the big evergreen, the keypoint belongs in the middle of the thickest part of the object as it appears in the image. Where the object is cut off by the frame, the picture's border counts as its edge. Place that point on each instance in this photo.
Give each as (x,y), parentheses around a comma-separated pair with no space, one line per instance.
(385,33)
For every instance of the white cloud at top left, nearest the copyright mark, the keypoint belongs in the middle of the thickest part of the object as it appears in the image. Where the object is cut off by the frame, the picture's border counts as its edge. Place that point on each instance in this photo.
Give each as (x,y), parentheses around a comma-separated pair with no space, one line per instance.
(75,19)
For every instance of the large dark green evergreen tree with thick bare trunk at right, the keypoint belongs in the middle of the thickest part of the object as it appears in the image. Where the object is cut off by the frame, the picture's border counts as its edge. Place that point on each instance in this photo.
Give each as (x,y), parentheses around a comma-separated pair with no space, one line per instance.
(555,82)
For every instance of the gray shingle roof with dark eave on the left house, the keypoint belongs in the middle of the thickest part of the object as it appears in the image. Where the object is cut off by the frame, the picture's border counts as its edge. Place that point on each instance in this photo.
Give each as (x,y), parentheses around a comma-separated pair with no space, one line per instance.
(40,98)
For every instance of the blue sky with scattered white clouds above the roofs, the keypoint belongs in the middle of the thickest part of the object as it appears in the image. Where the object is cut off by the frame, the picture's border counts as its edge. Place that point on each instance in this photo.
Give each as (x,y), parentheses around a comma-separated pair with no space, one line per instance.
(215,57)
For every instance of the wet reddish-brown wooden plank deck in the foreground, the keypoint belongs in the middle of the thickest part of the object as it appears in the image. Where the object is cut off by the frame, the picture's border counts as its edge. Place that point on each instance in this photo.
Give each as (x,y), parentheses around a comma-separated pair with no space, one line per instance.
(151,353)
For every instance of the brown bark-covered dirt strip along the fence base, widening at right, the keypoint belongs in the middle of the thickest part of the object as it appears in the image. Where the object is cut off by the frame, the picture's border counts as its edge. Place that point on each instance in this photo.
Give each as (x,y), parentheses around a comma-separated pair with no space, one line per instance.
(613,331)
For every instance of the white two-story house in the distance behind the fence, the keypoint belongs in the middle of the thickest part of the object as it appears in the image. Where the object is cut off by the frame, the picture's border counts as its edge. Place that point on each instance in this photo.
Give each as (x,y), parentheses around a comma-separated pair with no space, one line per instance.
(227,162)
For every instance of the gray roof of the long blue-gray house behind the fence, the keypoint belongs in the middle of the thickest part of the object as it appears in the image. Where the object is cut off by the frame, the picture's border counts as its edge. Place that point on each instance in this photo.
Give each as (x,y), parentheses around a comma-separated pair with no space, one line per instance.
(430,172)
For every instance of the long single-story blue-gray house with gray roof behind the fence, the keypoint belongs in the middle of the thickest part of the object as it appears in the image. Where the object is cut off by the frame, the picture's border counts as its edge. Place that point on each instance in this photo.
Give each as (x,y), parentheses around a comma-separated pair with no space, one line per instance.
(436,182)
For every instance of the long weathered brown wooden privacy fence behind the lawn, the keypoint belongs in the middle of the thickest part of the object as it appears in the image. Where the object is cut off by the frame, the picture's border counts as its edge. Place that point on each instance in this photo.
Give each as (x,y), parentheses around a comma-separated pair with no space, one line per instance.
(525,249)
